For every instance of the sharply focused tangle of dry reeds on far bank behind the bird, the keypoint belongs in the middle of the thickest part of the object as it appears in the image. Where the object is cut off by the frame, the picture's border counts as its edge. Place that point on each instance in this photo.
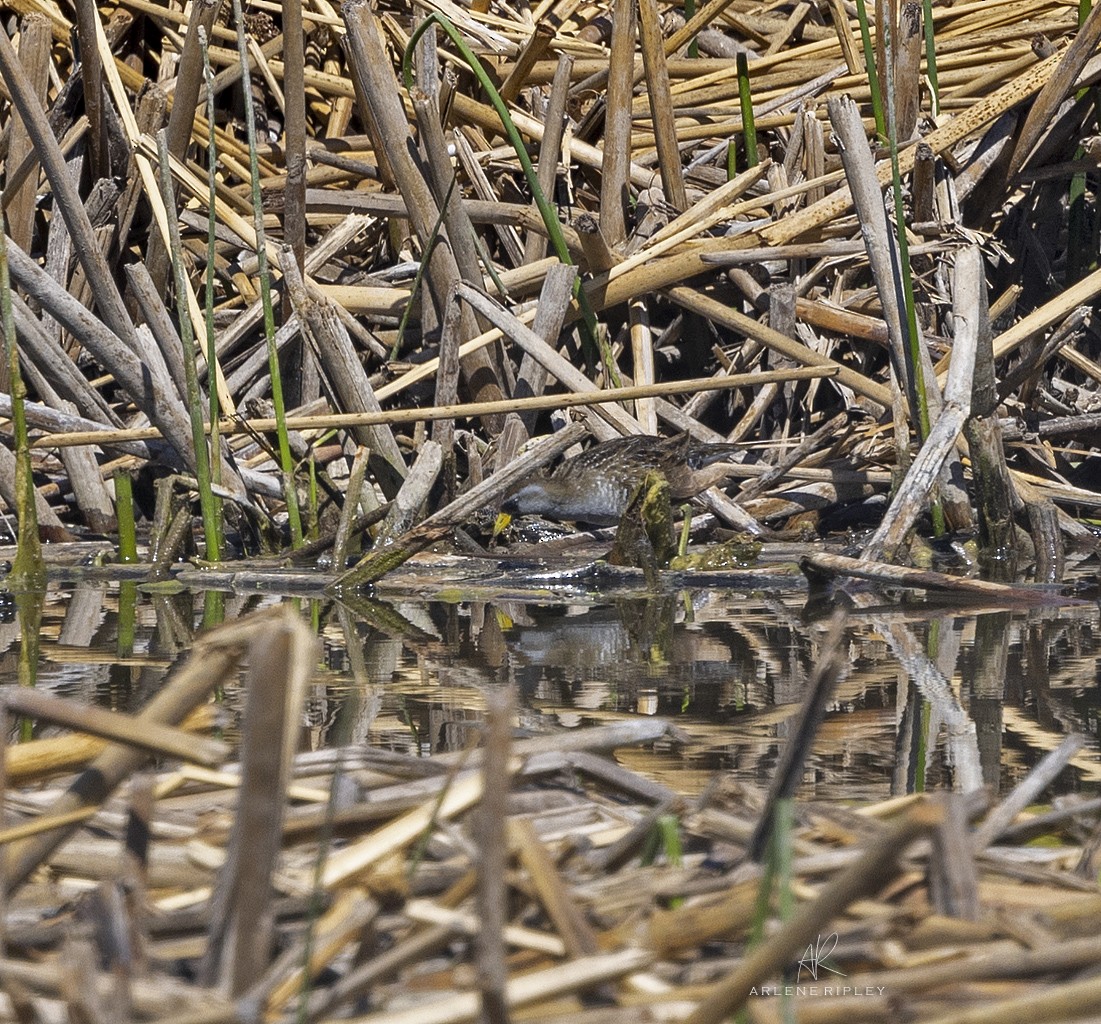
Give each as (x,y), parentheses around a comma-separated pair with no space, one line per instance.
(247,245)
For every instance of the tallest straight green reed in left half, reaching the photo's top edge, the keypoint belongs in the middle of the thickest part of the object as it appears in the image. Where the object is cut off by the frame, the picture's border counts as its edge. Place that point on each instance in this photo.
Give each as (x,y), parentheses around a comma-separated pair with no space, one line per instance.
(287,461)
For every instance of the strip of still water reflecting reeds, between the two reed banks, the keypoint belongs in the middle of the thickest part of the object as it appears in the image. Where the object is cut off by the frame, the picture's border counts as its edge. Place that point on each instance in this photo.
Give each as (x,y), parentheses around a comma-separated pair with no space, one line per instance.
(930,699)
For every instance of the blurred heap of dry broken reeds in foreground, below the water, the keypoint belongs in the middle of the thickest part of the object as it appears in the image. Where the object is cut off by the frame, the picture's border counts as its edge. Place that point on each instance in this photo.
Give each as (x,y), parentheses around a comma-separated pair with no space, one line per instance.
(177,878)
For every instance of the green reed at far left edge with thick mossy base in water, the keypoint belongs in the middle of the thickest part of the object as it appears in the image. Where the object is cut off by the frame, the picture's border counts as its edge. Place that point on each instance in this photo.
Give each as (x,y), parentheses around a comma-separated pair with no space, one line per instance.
(28,570)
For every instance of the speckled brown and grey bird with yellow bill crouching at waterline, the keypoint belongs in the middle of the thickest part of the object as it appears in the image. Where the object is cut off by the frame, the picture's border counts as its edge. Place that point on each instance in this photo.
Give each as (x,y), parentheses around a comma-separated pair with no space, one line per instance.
(596,486)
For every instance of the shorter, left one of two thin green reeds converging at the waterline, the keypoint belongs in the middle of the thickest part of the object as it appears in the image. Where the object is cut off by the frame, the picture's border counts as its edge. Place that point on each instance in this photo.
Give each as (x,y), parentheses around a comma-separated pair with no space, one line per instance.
(208,502)
